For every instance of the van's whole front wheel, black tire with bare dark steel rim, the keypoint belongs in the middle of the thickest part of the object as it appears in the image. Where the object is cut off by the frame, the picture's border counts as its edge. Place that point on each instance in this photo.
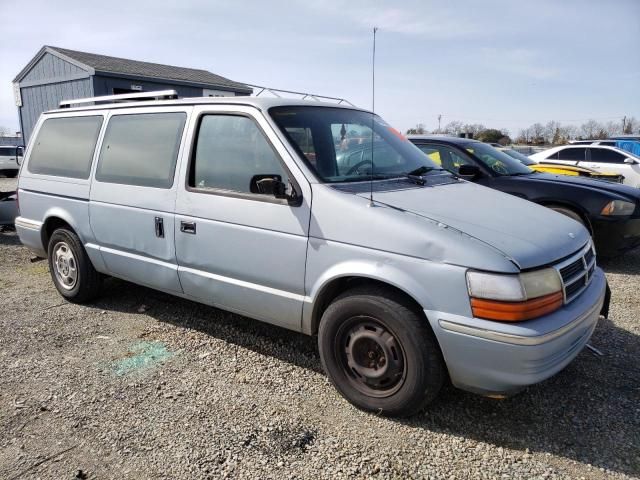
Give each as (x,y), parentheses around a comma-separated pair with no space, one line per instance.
(379,352)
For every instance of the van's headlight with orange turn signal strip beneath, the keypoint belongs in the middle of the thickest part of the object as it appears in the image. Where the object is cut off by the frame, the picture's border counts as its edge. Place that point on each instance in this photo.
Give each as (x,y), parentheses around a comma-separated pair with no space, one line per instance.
(514,298)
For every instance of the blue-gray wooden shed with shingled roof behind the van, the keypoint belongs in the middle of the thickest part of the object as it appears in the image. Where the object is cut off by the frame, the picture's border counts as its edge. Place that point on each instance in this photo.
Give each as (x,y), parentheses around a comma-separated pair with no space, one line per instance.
(57,74)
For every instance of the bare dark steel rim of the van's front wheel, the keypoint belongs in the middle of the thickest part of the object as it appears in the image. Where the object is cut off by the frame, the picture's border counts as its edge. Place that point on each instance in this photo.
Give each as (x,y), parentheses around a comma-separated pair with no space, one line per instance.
(371,357)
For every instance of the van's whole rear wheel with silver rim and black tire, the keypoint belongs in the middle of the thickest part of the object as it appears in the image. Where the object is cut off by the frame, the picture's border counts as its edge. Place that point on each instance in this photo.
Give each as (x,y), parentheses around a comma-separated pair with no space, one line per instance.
(71,270)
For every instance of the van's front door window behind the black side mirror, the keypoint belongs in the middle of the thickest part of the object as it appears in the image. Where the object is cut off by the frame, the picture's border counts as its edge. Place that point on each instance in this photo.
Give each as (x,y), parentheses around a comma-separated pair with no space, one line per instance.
(231,149)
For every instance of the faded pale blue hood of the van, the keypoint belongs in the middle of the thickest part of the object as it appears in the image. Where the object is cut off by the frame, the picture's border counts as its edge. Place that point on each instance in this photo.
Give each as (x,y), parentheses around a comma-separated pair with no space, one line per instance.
(528,234)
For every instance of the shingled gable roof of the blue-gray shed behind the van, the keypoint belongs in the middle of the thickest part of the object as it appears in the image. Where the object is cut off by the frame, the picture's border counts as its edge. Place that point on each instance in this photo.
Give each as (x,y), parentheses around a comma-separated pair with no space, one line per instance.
(123,66)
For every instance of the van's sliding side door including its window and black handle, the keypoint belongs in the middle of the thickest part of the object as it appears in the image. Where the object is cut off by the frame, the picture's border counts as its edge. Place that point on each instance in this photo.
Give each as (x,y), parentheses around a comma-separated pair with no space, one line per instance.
(133,195)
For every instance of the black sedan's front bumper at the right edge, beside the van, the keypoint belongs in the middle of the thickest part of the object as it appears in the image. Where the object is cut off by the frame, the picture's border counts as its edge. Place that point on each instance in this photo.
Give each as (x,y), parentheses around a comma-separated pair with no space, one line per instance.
(616,237)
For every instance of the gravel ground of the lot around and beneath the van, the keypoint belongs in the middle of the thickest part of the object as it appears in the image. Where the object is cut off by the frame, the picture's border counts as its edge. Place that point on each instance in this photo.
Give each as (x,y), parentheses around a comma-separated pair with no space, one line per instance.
(144,385)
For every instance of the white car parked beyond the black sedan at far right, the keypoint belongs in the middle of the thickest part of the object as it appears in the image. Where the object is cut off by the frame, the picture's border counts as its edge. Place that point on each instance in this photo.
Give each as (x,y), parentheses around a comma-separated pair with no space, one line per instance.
(597,157)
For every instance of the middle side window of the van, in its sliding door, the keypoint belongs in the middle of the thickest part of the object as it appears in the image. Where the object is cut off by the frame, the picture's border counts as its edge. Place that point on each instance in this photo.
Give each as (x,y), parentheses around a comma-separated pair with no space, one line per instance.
(141,149)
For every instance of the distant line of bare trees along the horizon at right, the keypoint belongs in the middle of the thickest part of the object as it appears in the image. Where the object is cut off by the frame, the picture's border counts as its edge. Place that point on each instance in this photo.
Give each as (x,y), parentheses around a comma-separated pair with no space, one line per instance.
(553,133)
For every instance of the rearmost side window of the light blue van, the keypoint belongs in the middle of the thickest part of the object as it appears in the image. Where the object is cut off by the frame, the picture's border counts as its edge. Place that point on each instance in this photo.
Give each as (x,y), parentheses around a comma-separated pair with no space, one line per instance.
(64,147)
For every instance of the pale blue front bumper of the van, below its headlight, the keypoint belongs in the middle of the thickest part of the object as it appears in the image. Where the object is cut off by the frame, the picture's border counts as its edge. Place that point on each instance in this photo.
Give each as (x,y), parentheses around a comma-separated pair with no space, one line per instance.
(489,357)
